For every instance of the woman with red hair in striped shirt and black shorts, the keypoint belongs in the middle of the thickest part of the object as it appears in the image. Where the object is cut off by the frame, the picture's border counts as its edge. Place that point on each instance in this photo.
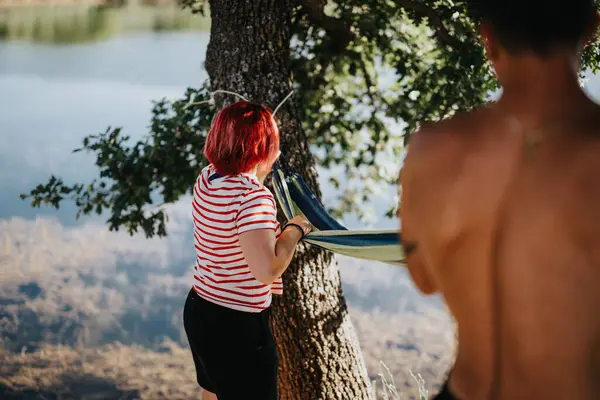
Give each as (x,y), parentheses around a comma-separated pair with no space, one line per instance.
(241,253)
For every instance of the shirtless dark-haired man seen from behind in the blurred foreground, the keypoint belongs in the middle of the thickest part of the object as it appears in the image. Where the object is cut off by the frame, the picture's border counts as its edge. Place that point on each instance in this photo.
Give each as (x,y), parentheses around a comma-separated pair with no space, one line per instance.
(501,213)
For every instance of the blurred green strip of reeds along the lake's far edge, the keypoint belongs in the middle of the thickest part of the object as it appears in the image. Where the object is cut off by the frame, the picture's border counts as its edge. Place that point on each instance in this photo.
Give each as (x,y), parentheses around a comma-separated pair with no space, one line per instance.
(84,23)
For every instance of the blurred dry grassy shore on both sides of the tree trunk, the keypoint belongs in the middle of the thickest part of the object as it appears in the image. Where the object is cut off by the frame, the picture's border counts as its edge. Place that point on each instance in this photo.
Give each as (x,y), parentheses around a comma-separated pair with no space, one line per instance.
(93,289)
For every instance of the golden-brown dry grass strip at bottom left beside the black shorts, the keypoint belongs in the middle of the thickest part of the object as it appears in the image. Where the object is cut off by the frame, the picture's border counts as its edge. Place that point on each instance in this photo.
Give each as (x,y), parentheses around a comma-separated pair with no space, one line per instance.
(109,372)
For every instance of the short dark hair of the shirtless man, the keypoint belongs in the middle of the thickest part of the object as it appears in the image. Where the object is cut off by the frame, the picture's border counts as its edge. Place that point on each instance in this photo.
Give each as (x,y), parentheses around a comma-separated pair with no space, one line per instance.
(538,26)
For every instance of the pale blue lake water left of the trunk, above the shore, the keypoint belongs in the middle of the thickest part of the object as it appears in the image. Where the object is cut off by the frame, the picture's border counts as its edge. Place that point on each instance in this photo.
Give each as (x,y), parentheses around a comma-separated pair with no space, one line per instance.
(53,96)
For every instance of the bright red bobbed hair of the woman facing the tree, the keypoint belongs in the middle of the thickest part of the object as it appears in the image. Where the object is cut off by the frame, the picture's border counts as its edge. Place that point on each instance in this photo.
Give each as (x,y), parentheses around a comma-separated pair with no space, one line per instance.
(242,136)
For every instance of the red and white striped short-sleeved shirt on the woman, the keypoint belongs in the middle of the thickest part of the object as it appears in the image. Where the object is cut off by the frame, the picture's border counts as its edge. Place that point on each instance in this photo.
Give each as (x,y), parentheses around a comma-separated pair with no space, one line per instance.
(222,209)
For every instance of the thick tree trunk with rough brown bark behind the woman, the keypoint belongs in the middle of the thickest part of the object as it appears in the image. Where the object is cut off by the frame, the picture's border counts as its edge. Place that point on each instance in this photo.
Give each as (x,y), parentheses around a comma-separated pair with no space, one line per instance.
(319,354)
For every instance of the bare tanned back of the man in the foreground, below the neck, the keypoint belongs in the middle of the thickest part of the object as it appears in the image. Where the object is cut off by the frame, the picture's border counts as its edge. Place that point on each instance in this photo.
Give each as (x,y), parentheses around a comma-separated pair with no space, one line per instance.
(509,232)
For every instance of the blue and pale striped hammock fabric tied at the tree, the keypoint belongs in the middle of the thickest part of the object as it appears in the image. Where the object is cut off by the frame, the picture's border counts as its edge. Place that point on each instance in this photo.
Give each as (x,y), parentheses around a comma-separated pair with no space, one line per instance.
(295,198)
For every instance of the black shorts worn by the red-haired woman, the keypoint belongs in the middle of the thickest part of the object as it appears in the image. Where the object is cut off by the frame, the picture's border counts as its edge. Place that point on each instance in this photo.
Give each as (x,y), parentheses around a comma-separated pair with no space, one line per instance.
(234,351)
